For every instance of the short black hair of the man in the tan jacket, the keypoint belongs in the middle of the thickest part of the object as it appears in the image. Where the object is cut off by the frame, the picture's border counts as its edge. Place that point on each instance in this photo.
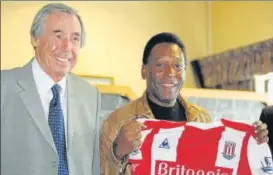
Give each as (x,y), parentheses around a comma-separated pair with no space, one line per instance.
(164,37)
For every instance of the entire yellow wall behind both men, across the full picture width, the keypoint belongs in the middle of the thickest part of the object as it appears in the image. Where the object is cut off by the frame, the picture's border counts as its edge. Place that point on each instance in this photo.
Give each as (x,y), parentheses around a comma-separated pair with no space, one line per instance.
(118,31)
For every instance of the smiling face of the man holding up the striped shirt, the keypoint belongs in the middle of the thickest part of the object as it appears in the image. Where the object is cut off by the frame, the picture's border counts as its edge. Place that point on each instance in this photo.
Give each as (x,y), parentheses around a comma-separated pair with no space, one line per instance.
(164,73)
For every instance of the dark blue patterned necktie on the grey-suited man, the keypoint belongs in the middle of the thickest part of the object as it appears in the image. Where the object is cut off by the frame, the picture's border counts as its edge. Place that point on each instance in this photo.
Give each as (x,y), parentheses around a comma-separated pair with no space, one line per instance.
(56,124)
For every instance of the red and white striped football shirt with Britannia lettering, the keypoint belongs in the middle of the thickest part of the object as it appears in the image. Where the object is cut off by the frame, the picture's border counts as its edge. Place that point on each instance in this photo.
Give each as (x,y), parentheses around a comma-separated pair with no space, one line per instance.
(219,148)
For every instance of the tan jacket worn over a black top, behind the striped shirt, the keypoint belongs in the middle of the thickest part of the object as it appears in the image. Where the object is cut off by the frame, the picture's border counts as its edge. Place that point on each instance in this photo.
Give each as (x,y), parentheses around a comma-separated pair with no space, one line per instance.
(111,126)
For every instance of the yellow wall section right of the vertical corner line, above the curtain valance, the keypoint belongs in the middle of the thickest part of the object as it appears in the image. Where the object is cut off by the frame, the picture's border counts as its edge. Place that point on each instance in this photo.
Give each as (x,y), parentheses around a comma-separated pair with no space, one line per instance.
(236,24)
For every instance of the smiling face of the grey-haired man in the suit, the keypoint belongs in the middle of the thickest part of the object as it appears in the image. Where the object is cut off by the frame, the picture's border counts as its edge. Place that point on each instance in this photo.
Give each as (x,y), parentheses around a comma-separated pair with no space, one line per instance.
(58,45)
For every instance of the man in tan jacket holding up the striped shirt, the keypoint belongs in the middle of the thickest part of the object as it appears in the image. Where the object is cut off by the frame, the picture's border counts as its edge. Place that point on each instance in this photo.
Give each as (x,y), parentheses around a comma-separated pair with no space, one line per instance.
(164,69)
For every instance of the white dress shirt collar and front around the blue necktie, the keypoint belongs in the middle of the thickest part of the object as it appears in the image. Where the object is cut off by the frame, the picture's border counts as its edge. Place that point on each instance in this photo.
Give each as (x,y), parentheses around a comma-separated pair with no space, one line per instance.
(44,83)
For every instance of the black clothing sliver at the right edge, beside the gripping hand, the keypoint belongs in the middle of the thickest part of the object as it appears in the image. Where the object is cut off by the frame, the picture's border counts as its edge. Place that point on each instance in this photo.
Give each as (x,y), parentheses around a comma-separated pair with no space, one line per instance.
(267,117)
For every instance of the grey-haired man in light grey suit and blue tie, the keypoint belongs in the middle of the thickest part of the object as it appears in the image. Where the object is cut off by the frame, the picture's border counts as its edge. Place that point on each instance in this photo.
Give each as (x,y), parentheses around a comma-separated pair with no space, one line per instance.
(49,116)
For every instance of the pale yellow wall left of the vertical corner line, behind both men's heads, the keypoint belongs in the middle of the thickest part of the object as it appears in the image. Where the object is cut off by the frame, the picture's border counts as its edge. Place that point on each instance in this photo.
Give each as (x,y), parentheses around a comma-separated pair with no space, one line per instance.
(116,35)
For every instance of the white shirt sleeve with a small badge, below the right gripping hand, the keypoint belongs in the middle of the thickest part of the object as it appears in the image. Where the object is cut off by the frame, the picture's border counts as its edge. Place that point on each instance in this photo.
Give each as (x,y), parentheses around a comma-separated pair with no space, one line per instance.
(259,158)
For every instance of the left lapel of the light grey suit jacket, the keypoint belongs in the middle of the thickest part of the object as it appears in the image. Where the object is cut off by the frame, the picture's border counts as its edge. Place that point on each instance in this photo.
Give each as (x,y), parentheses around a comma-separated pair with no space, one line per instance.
(30,97)
